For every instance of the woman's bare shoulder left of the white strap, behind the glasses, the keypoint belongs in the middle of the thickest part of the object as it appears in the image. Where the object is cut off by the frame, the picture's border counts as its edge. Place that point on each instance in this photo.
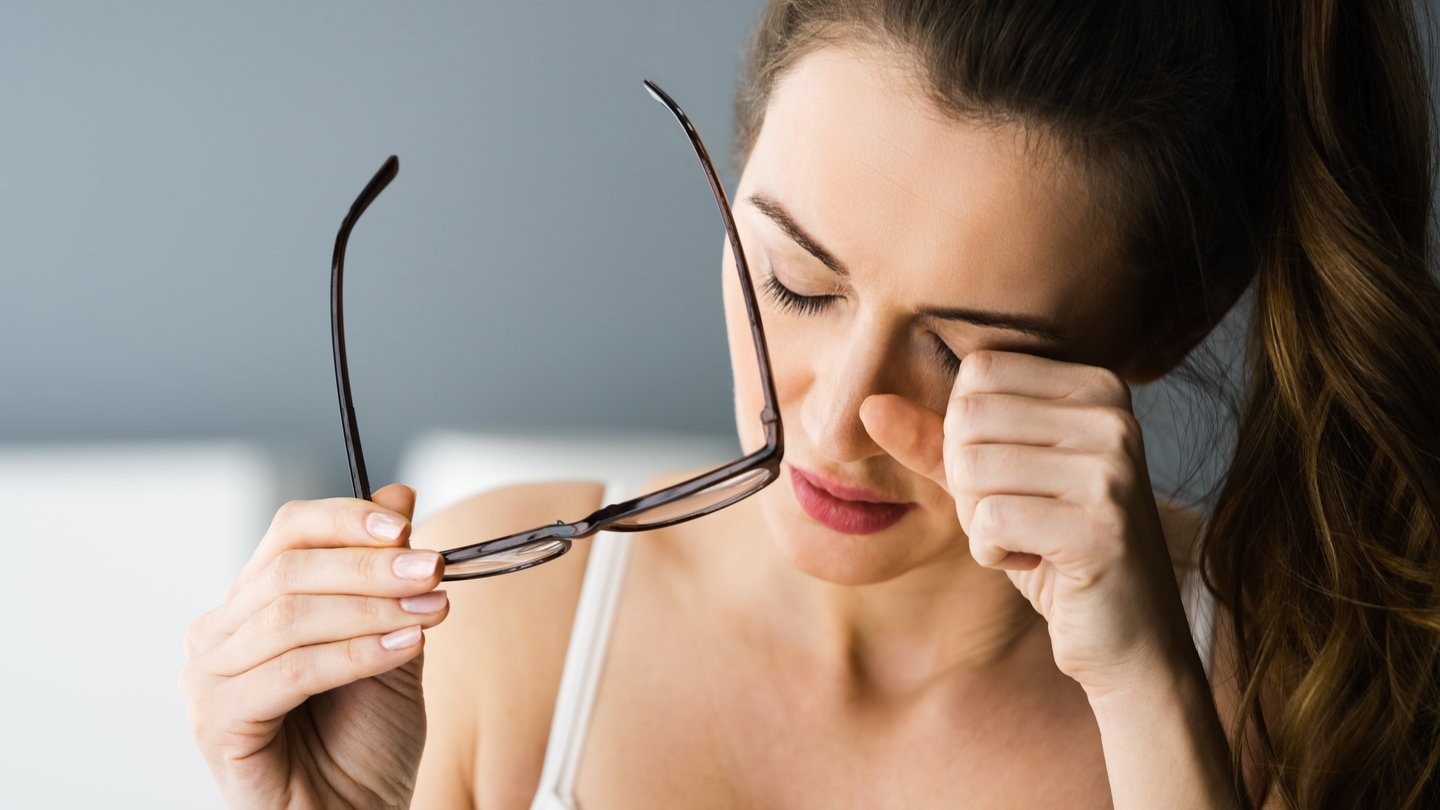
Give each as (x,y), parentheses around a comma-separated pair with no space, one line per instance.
(493,668)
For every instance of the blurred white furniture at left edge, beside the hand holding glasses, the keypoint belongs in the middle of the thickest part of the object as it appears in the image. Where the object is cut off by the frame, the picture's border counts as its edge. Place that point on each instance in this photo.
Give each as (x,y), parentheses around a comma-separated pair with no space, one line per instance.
(110,554)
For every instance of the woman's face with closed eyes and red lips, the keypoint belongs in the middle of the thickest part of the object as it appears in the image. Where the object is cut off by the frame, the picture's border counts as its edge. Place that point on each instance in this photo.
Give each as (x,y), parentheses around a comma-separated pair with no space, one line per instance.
(886,243)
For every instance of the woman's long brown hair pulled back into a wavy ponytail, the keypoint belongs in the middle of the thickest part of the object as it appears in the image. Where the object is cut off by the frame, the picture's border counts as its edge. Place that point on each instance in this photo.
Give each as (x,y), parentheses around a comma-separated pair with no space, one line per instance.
(1284,145)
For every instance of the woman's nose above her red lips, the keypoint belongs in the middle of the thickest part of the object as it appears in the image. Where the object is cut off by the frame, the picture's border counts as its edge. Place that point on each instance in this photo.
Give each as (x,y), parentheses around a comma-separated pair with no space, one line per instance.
(843,375)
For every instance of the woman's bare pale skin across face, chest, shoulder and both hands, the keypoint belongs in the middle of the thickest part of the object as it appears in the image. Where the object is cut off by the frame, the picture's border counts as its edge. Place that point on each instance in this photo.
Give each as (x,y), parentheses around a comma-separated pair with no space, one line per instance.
(1016,641)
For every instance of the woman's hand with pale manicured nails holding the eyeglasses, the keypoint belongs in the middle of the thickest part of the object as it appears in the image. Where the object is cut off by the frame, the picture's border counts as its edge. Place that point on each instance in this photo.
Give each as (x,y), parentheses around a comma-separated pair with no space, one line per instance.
(305,687)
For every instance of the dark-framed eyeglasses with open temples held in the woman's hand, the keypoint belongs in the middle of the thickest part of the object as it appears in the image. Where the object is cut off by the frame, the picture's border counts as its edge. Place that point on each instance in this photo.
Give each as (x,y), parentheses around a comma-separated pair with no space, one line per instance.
(611,517)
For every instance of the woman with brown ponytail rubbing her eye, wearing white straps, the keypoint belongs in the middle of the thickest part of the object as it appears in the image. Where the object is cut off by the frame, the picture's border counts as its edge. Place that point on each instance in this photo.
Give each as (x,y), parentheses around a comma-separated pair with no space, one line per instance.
(973,224)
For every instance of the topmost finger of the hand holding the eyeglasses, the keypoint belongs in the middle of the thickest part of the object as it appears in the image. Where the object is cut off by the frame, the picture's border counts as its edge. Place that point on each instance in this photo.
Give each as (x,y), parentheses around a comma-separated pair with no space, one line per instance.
(335,522)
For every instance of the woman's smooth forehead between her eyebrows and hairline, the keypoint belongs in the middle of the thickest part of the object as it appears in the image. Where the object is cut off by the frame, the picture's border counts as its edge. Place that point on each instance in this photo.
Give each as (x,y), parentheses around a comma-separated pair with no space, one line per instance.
(856,151)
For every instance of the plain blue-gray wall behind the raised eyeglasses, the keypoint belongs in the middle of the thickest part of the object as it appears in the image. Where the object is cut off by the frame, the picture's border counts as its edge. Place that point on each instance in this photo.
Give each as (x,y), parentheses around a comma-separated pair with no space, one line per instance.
(174,175)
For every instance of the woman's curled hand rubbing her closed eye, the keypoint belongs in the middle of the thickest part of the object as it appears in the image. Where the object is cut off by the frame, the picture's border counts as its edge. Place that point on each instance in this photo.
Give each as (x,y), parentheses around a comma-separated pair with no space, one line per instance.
(1048,469)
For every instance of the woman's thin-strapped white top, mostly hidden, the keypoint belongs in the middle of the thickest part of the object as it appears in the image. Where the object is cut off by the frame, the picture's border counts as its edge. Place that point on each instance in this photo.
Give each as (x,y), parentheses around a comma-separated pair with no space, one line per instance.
(590,639)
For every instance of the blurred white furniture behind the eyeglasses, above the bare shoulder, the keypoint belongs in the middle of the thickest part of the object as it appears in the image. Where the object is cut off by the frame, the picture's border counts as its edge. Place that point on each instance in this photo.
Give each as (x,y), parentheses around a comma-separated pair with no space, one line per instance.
(449,466)
